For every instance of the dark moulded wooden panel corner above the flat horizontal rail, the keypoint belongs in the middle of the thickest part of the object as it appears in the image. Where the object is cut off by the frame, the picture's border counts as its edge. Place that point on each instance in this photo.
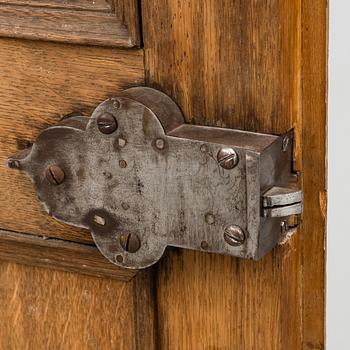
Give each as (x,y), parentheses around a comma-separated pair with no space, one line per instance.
(75,22)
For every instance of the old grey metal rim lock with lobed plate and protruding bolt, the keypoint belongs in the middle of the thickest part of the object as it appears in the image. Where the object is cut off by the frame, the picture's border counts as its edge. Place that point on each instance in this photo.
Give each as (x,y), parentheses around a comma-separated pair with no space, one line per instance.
(140,179)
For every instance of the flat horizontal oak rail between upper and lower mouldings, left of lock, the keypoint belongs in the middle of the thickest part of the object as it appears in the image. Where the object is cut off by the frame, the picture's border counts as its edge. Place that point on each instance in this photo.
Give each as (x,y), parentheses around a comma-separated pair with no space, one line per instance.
(41,82)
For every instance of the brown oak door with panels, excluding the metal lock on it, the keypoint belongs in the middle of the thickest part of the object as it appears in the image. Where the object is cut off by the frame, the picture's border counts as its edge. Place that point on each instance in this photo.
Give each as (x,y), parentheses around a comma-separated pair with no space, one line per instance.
(252,65)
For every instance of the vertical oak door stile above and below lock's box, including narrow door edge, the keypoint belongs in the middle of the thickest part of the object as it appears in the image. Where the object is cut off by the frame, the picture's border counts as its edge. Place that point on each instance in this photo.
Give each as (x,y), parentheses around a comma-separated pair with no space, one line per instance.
(238,64)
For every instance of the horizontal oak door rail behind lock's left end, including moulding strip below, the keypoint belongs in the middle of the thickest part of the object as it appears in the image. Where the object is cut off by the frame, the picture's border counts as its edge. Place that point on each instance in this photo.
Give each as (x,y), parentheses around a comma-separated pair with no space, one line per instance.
(40,83)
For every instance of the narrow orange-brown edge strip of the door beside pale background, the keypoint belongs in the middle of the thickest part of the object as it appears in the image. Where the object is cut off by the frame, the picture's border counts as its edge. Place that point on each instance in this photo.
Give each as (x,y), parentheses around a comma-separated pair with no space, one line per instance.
(314,158)
